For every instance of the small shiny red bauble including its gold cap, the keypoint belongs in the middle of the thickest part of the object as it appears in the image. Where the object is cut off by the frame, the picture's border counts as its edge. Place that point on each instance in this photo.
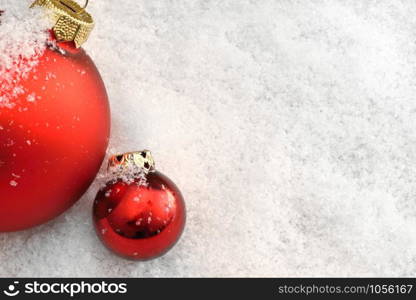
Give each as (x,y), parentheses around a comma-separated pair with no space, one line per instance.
(143,217)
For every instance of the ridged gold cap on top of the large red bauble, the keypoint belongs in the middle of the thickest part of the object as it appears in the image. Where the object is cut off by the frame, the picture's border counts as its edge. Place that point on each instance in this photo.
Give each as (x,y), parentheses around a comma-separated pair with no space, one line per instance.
(72,22)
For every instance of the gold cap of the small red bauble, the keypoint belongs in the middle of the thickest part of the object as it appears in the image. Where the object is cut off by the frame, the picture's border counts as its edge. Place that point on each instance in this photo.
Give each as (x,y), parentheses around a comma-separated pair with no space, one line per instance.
(142,159)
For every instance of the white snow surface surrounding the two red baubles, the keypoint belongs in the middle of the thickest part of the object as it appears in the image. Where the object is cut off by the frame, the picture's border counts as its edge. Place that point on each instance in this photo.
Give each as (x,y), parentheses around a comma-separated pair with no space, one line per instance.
(290,127)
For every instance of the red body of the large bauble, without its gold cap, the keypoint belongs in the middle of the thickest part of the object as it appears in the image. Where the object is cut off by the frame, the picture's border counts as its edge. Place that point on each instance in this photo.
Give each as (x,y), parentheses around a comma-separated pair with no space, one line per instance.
(53,140)
